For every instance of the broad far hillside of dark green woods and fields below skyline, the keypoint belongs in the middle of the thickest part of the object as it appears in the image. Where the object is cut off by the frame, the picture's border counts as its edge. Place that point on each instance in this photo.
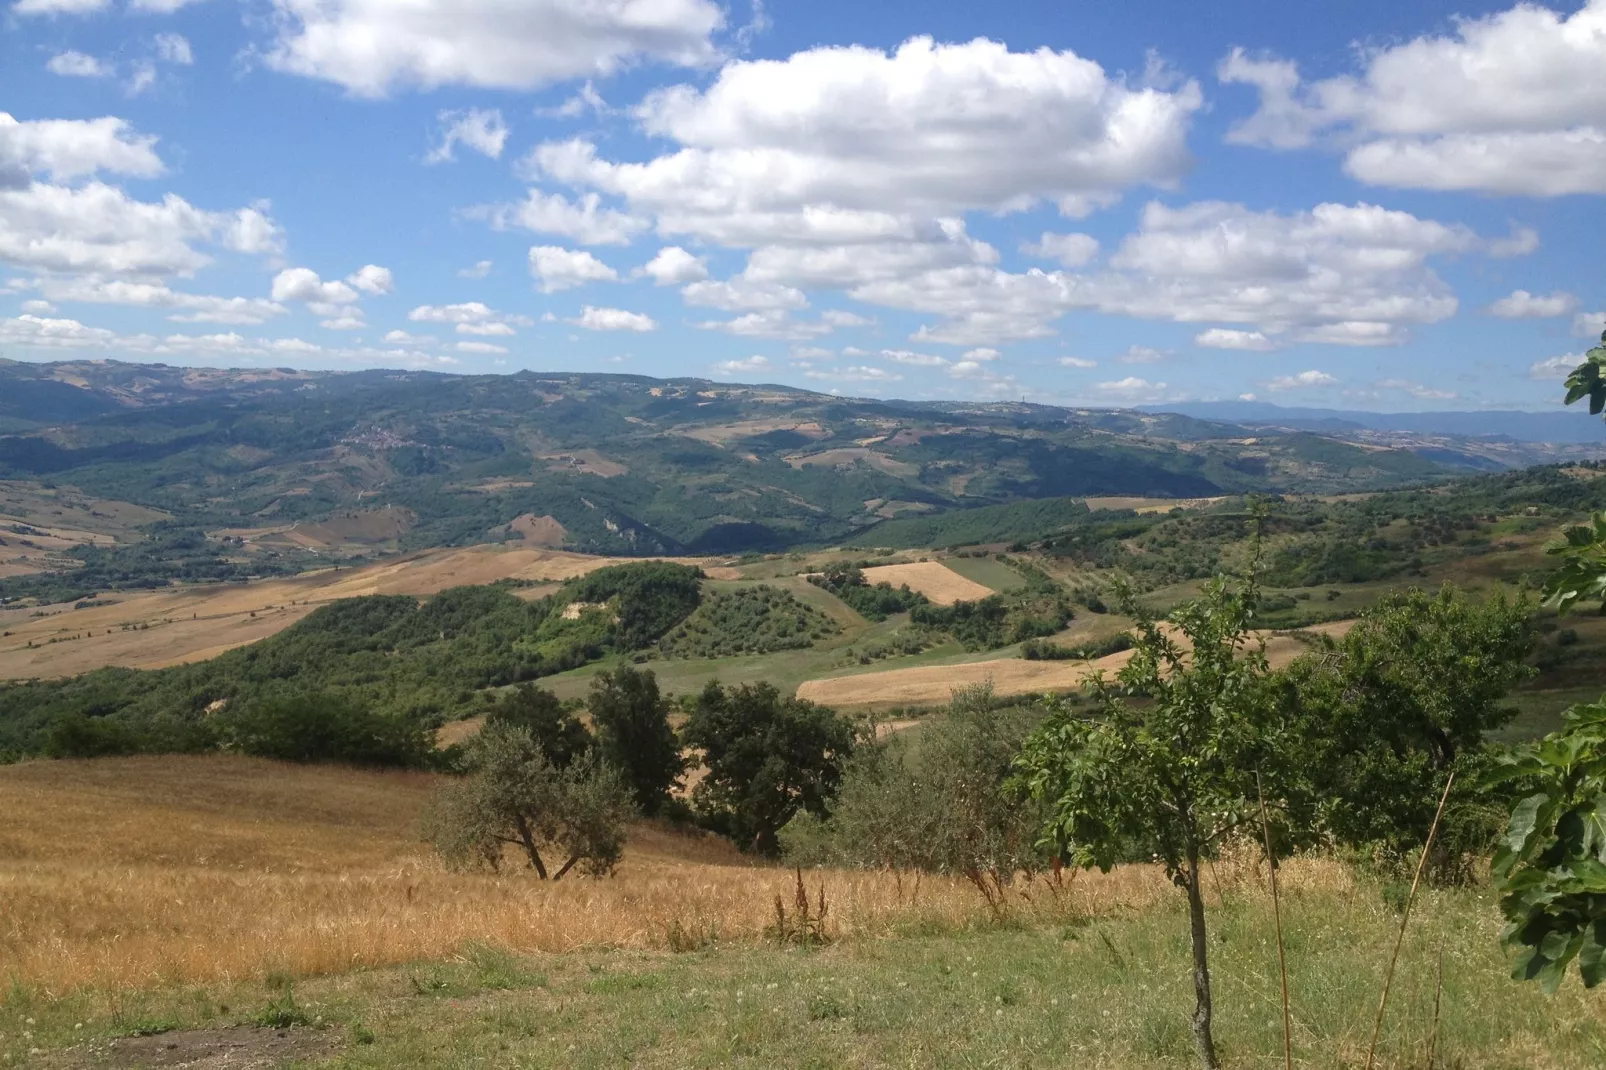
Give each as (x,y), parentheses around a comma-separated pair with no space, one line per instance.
(269,472)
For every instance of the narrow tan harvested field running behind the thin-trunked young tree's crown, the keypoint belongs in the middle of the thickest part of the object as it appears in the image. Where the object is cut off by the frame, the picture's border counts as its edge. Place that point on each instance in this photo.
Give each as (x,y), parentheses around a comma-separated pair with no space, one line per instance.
(932,685)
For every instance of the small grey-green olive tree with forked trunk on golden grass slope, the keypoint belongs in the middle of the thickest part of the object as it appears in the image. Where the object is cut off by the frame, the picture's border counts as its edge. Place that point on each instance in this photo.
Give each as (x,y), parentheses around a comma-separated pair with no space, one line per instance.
(515,796)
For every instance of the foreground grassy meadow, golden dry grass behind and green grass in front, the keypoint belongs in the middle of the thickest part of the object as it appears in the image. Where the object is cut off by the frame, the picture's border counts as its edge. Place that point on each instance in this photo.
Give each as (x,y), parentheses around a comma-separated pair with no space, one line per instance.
(173,907)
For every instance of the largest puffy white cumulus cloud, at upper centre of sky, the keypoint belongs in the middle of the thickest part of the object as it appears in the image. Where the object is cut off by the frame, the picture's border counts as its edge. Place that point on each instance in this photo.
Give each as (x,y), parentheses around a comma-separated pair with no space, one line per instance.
(852,144)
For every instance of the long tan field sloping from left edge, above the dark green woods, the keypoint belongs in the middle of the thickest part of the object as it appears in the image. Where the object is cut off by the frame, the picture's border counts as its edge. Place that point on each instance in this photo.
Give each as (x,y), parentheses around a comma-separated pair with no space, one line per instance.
(192,624)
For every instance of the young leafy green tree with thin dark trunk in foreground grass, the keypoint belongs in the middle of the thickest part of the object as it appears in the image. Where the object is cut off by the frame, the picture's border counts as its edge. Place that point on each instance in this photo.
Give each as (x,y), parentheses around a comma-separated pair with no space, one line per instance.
(1165,766)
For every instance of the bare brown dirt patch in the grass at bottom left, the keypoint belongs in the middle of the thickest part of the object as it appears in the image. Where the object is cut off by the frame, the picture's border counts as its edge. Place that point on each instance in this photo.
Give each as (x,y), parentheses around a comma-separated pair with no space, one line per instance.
(237,1048)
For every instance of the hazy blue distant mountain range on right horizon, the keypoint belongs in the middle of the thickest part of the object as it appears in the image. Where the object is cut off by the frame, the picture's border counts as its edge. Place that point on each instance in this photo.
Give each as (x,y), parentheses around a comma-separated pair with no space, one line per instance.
(1560,428)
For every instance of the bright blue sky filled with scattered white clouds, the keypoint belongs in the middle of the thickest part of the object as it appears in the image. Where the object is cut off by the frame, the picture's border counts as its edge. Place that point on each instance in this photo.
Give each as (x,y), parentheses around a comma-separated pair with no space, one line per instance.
(1392,206)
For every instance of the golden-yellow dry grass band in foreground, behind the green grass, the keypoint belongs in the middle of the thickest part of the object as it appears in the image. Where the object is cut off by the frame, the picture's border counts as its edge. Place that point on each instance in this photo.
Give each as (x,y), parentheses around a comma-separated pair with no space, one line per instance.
(132,873)
